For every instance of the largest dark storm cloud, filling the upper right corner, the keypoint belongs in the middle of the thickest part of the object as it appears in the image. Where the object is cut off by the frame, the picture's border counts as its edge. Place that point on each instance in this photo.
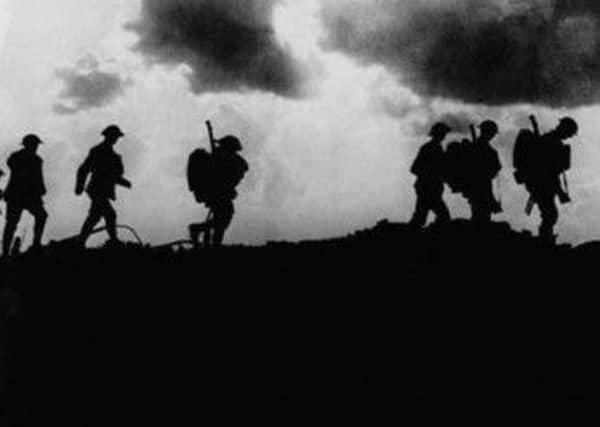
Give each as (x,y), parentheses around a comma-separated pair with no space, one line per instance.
(494,52)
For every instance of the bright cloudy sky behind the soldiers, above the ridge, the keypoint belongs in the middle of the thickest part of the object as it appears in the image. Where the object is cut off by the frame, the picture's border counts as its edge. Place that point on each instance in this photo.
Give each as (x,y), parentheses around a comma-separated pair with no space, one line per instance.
(331,99)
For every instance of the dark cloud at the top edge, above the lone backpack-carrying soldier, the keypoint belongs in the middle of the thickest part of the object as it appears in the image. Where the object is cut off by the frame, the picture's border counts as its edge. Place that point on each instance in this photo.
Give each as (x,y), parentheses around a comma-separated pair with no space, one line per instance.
(229,45)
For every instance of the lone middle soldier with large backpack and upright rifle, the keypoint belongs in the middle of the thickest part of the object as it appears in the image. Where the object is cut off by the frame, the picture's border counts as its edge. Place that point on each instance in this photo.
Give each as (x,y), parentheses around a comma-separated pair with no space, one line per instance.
(212,178)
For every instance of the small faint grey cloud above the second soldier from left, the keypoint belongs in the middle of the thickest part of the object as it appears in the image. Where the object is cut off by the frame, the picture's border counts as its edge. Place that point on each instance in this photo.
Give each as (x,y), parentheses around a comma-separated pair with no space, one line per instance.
(85,90)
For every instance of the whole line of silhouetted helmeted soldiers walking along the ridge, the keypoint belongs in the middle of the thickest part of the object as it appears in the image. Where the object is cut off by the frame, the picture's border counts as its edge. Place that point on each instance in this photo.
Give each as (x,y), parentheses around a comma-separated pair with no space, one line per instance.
(468,167)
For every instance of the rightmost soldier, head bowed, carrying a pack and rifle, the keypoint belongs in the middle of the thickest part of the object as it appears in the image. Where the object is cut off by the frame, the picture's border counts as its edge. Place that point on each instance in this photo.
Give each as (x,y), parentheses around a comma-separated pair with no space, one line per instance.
(539,162)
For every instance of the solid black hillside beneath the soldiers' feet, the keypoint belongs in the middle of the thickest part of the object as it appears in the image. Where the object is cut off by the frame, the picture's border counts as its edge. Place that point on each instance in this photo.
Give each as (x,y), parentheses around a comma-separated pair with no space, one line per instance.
(387,322)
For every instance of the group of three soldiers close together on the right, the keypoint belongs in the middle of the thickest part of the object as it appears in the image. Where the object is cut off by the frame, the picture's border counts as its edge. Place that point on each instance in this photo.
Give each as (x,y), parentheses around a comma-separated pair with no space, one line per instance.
(470,167)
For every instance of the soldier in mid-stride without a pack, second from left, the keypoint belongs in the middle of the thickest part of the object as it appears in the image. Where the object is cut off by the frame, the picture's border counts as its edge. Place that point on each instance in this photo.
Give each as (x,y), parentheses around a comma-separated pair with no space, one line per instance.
(106,169)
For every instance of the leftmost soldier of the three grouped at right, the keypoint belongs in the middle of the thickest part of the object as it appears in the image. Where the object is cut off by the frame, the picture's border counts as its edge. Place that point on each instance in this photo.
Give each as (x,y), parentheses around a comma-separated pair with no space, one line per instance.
(429,168)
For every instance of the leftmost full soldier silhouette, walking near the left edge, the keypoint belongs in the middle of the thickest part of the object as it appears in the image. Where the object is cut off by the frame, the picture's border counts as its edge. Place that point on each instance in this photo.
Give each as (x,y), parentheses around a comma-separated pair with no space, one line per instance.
(24,191)
